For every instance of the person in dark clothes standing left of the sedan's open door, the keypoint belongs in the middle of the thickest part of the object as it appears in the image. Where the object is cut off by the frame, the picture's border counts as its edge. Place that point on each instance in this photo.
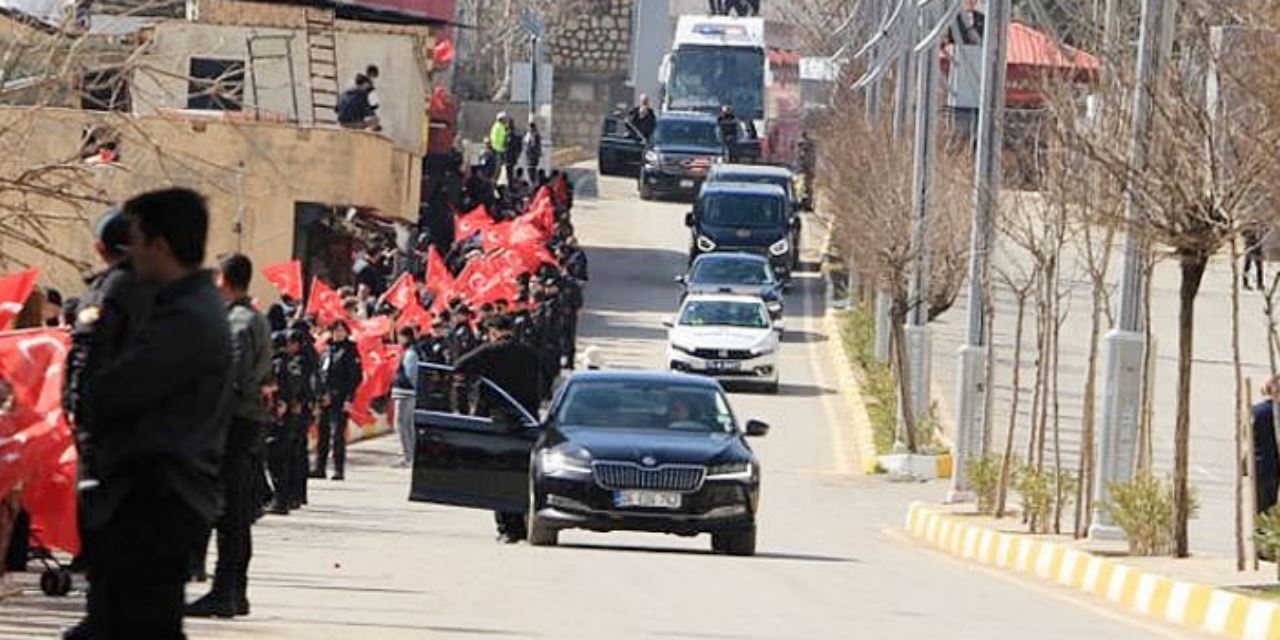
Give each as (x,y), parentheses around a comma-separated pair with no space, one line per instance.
(341,374)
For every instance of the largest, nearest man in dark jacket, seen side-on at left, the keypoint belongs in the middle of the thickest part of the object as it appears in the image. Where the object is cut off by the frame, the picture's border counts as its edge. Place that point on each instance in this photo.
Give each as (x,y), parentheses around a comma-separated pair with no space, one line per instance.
(161,413)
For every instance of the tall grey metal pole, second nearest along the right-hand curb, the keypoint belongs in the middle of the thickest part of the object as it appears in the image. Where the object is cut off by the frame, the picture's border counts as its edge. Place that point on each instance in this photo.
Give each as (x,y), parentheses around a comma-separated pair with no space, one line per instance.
(972,378)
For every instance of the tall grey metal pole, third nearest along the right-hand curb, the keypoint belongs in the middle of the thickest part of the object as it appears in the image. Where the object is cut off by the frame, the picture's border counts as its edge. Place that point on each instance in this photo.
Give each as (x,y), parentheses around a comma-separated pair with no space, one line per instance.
(917,332)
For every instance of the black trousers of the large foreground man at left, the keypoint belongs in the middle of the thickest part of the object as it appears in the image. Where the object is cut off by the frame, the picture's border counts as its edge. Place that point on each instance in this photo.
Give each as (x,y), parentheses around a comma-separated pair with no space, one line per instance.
(139,566)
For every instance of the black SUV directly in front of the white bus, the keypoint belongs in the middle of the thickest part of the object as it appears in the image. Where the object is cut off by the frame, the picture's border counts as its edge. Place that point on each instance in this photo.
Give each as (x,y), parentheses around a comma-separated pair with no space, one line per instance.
(683,150)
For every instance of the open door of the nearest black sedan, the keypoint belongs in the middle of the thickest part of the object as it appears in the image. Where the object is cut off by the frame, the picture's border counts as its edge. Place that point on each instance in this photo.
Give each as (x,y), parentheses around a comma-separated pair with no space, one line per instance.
(473,444)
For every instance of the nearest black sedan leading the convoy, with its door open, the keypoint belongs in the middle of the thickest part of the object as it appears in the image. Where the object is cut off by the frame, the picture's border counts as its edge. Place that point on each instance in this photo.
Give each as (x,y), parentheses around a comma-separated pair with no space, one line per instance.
(618,451)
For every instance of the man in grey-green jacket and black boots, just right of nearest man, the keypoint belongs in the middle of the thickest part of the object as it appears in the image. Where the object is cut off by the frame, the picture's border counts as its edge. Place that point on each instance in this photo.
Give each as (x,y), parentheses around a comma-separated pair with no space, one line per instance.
(243,468)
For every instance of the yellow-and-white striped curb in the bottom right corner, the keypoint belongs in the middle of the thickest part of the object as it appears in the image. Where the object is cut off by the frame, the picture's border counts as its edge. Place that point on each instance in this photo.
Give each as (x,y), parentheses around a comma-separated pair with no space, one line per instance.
(1187,605)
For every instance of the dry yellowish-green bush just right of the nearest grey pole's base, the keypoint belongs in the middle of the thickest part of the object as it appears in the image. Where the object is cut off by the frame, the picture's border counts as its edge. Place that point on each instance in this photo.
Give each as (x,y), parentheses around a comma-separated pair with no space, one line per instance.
(1145,511)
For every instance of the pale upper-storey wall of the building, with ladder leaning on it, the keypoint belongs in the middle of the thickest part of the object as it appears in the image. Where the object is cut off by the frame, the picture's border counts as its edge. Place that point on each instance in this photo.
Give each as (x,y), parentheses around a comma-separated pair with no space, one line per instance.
(162,81)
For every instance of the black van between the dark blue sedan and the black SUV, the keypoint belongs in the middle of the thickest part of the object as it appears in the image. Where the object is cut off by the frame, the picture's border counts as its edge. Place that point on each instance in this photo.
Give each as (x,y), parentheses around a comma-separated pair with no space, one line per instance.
(744,218)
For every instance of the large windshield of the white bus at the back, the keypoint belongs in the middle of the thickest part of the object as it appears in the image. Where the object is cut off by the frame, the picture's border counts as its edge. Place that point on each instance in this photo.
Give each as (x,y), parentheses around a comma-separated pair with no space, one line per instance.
(707,79)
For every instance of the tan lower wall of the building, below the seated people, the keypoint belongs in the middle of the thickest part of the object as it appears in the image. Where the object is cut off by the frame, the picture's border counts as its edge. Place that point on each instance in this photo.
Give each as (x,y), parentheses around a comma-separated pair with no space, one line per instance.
(253,173)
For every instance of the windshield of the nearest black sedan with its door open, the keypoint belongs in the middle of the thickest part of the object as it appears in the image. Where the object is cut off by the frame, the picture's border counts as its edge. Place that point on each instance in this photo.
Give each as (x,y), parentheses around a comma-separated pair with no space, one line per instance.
(642,405)
